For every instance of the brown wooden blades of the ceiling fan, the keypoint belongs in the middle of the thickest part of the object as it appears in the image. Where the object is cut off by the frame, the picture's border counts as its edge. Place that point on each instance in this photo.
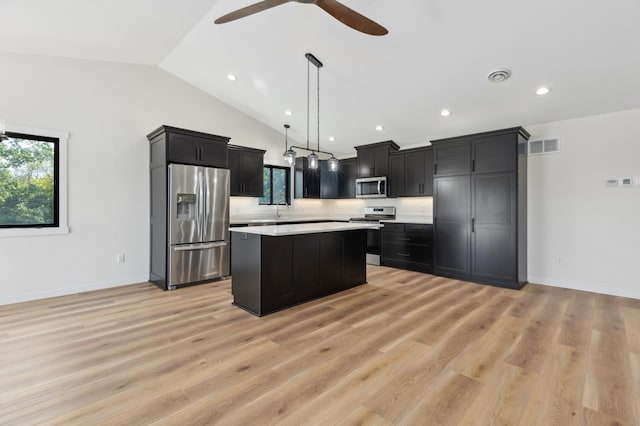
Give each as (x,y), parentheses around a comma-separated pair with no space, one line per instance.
(334,8)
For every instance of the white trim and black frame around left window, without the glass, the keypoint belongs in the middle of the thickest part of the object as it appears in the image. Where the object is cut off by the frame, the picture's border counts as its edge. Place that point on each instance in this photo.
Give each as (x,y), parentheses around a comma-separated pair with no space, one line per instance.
(60,225)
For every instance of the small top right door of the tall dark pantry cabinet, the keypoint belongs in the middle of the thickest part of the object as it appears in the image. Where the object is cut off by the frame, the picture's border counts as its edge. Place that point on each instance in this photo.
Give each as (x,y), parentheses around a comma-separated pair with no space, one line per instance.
(494,153)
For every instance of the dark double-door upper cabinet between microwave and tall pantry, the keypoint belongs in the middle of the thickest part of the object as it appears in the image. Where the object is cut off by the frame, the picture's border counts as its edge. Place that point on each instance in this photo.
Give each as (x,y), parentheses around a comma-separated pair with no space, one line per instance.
(411,173)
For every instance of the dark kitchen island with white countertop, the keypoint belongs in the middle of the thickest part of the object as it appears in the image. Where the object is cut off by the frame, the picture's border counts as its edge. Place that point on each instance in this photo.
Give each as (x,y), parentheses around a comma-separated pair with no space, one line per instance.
(275,267)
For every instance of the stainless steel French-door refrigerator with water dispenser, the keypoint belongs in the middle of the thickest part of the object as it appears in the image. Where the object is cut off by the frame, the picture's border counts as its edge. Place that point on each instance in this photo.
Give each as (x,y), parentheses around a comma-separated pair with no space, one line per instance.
(198,224)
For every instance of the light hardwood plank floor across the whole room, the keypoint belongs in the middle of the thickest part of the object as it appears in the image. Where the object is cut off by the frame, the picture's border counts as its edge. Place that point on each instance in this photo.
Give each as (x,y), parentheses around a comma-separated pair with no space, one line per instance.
(407,348)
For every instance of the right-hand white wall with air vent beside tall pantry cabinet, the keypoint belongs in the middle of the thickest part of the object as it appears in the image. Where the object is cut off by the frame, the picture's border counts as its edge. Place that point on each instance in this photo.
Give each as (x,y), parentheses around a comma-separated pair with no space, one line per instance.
(572,215)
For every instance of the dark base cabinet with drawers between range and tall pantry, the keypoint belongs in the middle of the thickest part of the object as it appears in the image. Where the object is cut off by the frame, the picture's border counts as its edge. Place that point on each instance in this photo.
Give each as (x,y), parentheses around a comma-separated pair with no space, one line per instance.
(407,246)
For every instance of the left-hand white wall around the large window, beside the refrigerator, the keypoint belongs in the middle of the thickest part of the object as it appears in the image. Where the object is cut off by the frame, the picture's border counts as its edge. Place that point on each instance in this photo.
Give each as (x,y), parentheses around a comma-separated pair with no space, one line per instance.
(108,110)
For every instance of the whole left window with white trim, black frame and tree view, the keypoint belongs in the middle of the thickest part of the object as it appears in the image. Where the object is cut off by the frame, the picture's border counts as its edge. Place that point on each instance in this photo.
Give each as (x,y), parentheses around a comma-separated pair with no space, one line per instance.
(33,182)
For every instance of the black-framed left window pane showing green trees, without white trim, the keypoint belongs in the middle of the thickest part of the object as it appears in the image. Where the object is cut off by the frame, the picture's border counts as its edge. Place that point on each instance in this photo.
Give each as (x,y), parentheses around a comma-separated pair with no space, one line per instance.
(28,181)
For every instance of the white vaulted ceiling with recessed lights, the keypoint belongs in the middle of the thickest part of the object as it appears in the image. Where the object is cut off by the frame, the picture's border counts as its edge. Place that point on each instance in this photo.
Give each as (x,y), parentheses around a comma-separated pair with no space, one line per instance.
(436,56)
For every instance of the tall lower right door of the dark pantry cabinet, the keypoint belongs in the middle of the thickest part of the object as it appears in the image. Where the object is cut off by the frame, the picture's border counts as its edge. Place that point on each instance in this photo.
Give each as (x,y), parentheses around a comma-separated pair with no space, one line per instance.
(493,234)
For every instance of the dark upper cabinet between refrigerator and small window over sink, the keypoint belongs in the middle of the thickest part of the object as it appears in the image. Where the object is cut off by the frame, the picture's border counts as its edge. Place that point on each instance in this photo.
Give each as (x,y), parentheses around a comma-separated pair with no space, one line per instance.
(246,166)
